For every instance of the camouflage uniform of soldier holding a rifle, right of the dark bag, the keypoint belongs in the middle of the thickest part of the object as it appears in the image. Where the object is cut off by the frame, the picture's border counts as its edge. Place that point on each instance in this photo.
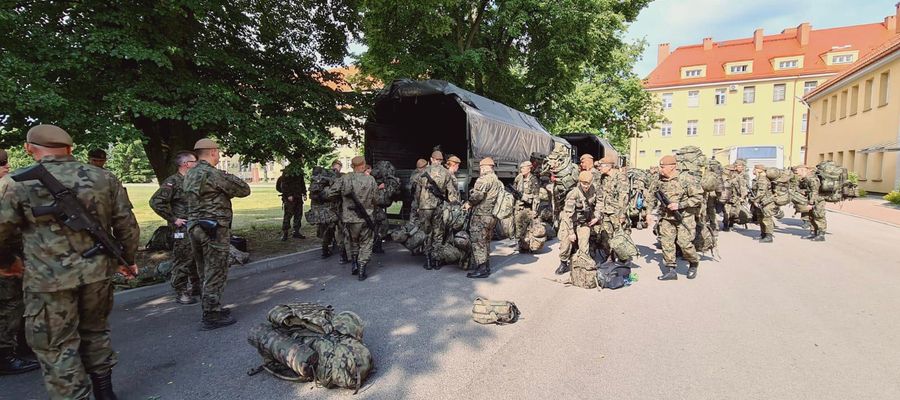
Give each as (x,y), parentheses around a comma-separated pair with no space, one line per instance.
(686,191)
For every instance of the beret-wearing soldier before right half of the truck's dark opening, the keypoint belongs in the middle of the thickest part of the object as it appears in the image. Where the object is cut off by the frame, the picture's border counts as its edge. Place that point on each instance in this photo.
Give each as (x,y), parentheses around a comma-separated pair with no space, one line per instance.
(435,187)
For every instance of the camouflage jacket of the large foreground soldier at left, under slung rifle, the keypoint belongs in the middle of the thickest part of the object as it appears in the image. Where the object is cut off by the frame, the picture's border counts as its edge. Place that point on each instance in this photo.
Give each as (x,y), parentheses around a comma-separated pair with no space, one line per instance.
(52,250)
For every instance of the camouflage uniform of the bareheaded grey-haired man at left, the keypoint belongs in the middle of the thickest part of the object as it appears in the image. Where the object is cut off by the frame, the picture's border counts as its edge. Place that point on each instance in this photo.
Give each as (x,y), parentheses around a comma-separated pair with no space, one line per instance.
(169,203)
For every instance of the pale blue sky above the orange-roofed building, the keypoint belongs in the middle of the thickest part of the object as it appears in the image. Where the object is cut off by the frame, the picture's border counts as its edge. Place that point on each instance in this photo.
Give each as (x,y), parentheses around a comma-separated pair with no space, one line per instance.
(686,22)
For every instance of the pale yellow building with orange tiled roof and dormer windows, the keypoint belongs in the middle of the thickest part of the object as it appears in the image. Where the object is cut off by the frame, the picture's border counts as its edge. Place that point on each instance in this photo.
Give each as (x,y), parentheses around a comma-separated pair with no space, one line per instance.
(746,94)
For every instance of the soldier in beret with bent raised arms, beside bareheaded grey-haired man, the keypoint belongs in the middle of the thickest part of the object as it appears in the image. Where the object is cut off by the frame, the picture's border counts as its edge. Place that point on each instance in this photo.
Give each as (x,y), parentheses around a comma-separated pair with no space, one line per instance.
(209,192)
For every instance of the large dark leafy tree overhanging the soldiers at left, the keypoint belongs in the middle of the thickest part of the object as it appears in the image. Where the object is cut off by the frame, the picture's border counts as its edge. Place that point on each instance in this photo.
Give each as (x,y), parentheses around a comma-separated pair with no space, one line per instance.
(249,72)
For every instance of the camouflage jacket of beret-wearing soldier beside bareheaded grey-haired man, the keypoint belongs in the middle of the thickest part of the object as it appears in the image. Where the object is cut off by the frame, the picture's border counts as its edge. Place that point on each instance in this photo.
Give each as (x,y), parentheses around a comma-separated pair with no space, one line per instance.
(209,193)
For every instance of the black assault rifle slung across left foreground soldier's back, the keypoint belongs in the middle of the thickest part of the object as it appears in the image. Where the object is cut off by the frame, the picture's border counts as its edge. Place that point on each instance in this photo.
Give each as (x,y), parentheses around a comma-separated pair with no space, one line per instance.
(69,211)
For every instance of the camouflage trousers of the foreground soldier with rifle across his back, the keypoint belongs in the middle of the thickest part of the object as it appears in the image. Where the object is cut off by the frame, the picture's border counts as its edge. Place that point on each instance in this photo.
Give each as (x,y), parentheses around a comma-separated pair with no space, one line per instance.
(69,333)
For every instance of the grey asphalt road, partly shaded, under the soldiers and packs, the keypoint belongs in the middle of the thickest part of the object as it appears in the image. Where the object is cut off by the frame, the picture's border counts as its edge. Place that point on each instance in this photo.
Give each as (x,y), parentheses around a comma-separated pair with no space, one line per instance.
(788,320)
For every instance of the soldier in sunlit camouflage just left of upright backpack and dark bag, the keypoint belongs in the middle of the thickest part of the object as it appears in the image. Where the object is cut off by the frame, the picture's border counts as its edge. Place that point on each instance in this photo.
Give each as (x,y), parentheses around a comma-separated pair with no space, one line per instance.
(574,221)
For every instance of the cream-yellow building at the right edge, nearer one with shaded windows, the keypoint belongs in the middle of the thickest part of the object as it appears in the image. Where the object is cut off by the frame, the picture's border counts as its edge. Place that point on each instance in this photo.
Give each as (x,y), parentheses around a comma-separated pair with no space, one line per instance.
(856,119)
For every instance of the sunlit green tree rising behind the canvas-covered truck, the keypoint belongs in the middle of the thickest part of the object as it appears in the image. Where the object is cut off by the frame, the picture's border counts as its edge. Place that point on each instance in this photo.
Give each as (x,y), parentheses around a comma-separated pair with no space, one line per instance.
(533,55)
